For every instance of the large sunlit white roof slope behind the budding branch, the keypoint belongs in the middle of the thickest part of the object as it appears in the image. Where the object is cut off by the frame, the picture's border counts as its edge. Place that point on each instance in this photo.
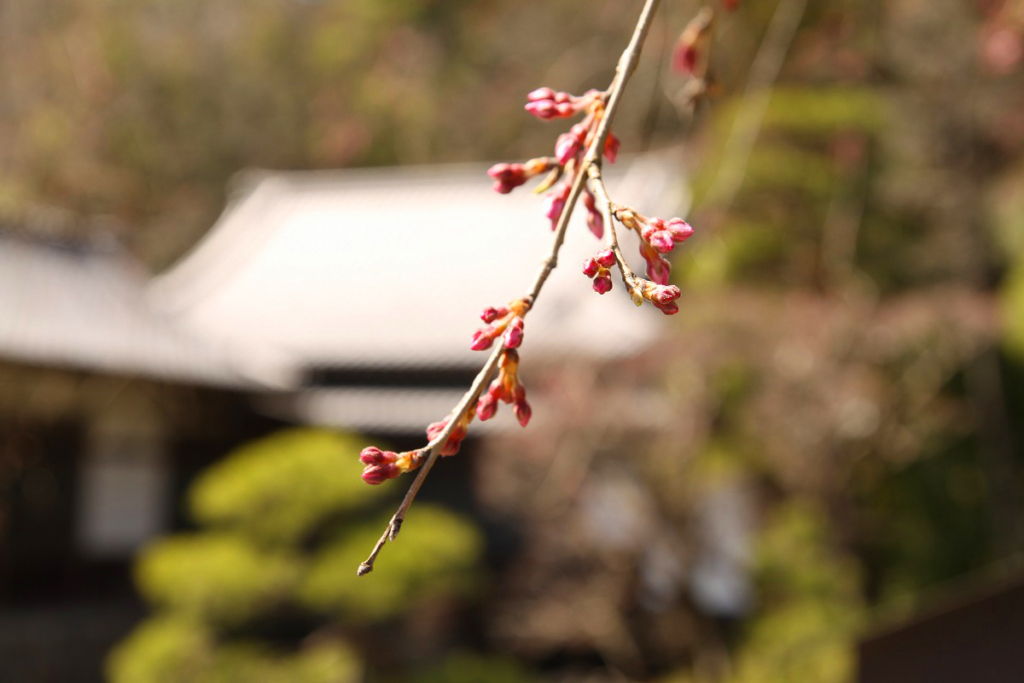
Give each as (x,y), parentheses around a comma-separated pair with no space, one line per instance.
(392,268)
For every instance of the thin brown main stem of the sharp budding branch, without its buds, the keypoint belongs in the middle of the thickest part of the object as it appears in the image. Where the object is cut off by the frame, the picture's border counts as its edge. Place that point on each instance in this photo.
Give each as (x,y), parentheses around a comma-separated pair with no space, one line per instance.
(627,65)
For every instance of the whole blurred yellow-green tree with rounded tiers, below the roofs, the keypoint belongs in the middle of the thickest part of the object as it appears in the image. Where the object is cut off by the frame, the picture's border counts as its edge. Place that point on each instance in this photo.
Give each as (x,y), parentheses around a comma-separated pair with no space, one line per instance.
(266,591)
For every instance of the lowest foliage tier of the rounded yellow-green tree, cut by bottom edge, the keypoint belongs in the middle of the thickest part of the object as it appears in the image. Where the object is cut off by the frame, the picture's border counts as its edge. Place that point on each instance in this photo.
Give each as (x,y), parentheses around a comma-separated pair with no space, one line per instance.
(179,651)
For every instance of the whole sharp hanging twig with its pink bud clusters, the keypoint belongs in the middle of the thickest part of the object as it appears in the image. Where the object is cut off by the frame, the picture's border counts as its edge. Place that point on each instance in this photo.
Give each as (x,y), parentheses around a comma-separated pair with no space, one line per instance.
(578,156)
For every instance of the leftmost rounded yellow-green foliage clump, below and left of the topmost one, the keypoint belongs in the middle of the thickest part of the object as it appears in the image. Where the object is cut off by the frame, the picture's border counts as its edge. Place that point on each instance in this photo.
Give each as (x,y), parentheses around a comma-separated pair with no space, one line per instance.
(219,578)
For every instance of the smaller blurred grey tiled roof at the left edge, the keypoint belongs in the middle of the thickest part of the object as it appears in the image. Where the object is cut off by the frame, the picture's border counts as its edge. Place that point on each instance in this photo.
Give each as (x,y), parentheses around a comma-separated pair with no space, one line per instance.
(83,306)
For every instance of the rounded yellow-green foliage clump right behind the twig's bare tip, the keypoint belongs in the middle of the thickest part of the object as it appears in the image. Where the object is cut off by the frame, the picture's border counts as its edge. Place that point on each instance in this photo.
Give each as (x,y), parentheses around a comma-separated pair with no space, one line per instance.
(437,557)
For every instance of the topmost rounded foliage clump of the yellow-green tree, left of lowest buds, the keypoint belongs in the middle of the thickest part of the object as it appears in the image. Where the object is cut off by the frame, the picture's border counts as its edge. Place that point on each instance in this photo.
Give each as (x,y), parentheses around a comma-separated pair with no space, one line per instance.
(280,489)
